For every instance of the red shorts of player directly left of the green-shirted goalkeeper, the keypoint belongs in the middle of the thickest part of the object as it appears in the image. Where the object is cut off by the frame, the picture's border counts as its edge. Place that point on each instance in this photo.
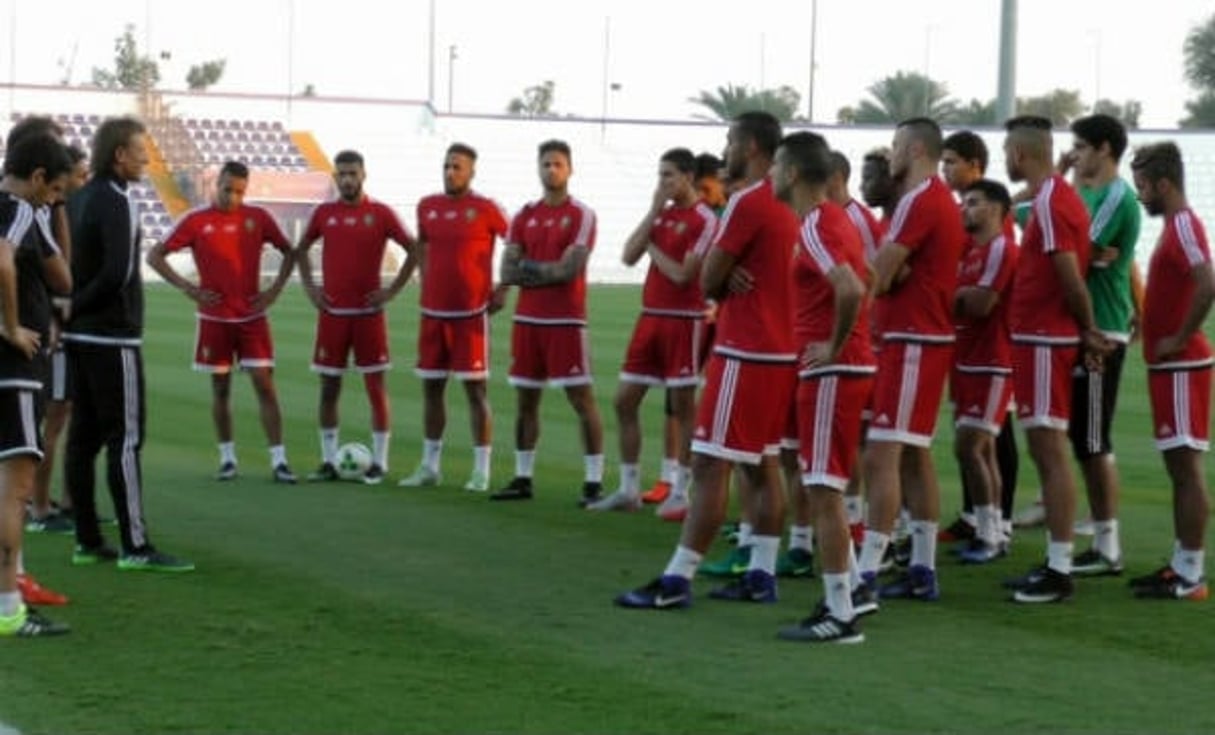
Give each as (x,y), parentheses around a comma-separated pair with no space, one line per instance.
(1042,380)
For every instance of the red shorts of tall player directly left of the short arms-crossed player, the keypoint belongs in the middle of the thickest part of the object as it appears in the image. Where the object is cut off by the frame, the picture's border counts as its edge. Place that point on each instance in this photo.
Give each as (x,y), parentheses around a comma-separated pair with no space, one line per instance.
(907,394)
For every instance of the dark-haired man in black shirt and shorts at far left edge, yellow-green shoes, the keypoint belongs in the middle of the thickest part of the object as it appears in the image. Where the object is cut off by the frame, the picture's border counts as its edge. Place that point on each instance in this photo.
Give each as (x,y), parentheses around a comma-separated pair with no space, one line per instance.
(36,173)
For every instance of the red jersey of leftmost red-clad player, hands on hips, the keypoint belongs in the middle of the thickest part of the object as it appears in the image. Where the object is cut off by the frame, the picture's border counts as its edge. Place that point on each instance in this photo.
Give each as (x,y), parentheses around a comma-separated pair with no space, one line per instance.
(228,256)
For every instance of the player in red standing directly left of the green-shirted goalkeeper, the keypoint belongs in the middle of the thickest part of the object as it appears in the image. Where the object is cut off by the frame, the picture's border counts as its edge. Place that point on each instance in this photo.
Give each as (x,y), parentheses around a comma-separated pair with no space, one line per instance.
(1050,319)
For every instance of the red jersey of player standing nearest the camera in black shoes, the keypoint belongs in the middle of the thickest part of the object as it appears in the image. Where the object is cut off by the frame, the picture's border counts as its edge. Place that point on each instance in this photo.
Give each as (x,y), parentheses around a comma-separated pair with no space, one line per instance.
(829,241)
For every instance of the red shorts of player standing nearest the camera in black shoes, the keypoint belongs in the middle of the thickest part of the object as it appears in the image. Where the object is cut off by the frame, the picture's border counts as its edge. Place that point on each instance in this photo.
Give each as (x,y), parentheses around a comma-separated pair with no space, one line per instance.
(829,427)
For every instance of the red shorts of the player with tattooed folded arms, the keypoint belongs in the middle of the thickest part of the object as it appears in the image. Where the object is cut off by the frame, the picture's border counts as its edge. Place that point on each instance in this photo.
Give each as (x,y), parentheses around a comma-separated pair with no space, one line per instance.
(549,355)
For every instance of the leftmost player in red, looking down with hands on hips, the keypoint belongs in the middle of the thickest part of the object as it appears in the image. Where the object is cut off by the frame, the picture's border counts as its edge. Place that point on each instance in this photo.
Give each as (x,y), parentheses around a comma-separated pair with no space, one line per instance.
(227,241)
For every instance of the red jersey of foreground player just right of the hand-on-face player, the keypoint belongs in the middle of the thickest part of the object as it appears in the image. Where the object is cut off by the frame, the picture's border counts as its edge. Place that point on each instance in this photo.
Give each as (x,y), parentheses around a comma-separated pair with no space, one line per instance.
(761,234)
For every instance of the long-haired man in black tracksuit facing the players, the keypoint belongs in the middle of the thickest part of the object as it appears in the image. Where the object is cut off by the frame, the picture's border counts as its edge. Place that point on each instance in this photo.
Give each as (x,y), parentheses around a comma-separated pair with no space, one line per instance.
(104,337)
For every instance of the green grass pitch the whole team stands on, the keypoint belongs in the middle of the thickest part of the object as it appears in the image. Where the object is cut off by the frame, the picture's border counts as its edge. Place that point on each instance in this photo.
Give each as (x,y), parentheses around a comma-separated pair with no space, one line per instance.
(352,609)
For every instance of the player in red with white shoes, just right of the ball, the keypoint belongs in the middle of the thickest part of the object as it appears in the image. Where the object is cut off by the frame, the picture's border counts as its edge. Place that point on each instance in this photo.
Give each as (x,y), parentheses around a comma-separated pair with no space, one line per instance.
(457,230)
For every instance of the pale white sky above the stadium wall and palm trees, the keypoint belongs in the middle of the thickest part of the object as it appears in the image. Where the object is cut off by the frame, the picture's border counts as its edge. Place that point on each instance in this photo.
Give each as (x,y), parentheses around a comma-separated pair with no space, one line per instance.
(628,59)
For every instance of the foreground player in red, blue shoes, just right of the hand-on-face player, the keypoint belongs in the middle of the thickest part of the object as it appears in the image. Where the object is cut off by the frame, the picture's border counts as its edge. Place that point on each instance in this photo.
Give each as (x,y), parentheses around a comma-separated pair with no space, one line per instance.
(753,371)
